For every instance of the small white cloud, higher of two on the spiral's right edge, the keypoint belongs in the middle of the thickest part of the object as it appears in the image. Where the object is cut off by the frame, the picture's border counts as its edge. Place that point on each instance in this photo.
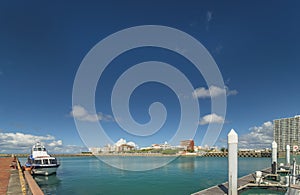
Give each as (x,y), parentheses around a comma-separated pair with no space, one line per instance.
(212,91)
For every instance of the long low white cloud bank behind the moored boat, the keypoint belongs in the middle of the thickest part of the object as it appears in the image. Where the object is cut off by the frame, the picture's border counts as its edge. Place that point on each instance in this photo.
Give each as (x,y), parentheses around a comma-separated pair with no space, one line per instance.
(22,143)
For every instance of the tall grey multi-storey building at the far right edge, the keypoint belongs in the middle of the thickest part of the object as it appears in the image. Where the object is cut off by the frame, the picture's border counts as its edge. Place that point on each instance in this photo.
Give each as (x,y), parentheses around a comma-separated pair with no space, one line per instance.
(287,132)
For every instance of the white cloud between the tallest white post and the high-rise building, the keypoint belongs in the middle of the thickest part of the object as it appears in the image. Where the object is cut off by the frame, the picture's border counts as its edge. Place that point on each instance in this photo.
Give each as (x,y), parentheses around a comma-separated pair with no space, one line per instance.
(258,137)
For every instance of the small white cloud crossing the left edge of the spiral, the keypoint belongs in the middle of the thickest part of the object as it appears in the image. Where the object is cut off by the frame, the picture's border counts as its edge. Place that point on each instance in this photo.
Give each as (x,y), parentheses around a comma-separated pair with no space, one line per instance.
(80,113)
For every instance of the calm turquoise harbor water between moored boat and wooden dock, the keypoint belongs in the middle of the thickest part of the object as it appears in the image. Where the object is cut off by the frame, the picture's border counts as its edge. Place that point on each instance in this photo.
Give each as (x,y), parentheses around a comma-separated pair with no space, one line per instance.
(185,175)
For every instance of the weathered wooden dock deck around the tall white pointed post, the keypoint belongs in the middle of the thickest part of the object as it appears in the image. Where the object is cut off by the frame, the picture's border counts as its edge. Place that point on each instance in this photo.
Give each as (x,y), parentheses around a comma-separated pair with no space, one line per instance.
(222,189)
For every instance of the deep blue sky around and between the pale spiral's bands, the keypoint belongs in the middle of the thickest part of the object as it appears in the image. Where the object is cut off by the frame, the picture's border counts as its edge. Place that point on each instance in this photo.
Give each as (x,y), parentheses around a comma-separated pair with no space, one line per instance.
(255,45)
